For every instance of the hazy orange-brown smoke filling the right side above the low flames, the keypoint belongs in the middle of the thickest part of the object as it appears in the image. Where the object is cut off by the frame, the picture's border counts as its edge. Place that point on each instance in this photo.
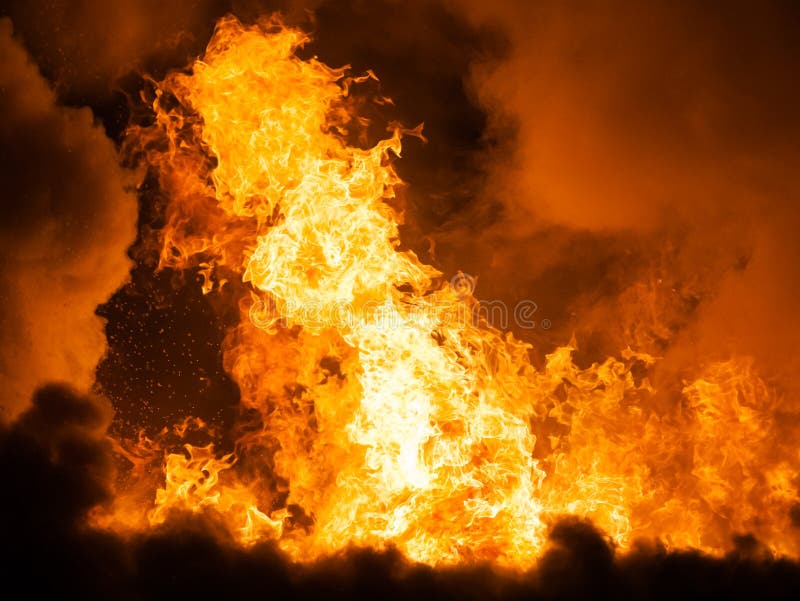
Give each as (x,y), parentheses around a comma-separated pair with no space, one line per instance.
(647,193)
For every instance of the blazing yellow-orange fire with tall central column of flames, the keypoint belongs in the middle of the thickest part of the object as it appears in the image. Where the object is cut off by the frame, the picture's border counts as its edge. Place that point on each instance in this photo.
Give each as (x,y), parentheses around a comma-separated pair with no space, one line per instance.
(375,411)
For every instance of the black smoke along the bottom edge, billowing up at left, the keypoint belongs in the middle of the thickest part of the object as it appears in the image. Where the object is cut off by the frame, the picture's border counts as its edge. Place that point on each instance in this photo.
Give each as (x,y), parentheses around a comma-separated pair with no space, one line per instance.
(57,464)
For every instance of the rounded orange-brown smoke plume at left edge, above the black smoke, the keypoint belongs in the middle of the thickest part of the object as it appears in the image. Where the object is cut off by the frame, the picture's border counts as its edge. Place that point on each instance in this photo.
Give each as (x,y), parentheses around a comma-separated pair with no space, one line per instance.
(66,222)
